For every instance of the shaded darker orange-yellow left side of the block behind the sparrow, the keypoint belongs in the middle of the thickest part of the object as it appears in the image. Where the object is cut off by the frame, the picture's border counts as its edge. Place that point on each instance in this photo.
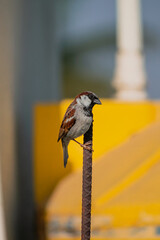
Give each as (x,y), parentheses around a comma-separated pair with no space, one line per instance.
(47,153)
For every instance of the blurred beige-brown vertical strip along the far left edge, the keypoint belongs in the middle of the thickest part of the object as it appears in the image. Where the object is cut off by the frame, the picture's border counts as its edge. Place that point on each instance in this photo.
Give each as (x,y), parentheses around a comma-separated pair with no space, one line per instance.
(7,133)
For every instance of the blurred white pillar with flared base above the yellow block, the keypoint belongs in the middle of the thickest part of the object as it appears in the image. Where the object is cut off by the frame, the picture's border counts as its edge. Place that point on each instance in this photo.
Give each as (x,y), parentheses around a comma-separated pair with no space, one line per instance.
(130,78)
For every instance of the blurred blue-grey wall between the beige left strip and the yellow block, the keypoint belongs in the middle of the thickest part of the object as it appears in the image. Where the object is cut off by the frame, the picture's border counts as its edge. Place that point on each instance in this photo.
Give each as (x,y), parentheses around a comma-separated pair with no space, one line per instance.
(37,80)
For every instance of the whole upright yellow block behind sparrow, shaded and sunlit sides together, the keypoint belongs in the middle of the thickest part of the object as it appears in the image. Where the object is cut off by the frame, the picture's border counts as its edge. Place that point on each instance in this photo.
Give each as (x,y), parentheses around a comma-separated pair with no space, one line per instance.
(114,122)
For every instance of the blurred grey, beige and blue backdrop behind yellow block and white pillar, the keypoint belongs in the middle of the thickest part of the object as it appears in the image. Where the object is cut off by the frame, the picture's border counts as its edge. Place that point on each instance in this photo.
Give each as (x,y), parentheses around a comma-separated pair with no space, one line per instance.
(52,50)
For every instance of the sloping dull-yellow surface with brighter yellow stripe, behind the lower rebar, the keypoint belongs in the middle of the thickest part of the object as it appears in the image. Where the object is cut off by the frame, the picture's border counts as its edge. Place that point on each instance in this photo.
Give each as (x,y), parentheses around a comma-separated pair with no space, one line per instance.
(125,185)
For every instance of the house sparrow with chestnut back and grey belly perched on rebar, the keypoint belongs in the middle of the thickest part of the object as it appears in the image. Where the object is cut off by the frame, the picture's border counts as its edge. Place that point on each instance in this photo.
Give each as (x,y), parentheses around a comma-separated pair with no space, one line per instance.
(77,120)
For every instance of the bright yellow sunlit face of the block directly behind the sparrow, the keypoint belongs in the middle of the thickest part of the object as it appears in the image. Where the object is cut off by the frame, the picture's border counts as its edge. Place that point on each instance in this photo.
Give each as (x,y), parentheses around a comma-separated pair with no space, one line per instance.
(113,123)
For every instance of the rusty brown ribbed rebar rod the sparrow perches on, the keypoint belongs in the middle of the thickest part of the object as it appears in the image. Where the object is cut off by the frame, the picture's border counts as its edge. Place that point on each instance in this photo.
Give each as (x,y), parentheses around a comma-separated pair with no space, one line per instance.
(87,187)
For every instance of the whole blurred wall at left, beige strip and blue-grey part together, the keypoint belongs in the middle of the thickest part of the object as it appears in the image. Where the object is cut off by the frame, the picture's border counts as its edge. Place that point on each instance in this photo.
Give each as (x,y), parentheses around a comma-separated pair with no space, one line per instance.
(30,73)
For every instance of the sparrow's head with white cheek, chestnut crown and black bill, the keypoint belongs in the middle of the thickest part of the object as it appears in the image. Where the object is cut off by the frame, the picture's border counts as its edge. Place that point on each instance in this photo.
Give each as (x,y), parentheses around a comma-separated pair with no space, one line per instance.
(87,99)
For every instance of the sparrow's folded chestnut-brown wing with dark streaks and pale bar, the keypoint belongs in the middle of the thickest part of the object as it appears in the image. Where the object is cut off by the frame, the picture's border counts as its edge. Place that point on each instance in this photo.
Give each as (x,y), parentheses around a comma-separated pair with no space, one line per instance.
(67,123)
